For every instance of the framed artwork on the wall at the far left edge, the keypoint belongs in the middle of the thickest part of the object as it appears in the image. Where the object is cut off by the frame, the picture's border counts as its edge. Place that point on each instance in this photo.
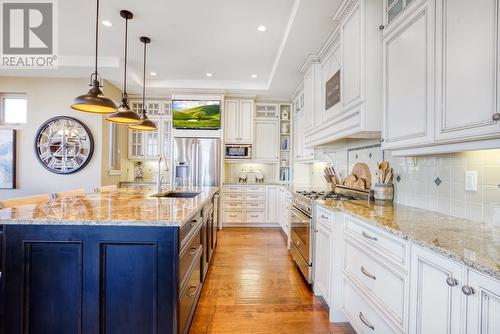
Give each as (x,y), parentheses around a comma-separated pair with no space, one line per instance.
(7,159)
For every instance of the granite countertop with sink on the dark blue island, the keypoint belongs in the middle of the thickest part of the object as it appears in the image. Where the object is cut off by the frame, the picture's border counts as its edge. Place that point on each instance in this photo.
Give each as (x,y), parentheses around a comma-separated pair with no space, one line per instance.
(128,206)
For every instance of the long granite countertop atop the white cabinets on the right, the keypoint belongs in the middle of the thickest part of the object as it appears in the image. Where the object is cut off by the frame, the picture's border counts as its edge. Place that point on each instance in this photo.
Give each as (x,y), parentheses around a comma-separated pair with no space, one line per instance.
(475,244)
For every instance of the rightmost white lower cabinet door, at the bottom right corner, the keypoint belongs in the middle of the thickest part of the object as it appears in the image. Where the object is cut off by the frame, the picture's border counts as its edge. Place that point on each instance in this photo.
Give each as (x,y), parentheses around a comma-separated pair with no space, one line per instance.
(483,305)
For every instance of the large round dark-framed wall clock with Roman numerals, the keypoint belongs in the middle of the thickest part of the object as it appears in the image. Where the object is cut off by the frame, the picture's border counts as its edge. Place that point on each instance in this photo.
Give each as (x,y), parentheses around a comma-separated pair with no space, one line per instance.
(64,145)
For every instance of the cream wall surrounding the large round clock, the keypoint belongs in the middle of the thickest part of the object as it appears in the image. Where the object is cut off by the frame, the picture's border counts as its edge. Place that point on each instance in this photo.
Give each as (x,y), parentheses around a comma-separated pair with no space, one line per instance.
(49,97)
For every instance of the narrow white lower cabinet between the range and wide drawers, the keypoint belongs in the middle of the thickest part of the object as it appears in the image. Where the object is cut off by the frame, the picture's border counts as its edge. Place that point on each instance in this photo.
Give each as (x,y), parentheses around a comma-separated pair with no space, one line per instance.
(323,254)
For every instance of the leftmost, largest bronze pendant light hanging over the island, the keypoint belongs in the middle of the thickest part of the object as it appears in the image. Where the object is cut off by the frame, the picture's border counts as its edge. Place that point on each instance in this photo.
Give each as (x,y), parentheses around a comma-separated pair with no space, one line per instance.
(94,101)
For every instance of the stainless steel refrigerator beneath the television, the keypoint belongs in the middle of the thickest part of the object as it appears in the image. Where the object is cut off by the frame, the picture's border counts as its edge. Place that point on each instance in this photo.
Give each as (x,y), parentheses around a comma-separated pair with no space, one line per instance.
(196,162)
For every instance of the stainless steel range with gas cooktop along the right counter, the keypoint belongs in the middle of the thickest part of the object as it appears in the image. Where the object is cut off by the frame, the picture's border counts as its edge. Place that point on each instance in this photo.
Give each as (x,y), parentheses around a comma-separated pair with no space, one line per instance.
(302,230)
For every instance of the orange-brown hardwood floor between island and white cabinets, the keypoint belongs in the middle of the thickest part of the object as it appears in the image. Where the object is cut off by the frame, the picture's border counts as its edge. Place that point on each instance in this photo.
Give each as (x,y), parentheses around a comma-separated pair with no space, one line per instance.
(253,287)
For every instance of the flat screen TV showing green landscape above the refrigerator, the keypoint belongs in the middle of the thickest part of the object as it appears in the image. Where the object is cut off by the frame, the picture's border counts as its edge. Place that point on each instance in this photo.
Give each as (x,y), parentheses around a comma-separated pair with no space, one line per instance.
(196,114)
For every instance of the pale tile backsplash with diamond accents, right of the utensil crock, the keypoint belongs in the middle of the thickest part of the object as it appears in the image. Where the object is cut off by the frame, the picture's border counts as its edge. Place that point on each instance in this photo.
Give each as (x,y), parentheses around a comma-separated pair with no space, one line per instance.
(437,183)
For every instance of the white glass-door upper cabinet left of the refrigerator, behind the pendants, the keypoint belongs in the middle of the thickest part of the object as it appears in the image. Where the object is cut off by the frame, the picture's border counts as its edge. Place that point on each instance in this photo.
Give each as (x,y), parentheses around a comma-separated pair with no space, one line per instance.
(148,145)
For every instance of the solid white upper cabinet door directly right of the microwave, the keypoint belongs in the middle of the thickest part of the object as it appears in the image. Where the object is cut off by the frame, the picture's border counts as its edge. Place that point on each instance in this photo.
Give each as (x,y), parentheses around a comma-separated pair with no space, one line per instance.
(266,144)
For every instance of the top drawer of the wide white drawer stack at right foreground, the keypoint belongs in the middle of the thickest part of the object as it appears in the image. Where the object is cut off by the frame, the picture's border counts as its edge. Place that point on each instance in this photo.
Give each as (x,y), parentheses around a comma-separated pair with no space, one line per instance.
(389,246)
